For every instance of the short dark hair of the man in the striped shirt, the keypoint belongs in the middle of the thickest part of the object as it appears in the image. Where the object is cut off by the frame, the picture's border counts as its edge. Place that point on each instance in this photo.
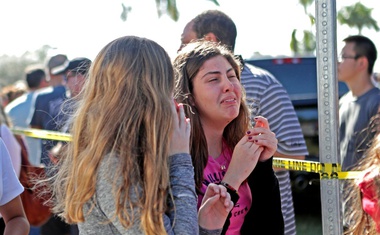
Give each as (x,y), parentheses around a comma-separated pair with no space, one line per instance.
(218,23)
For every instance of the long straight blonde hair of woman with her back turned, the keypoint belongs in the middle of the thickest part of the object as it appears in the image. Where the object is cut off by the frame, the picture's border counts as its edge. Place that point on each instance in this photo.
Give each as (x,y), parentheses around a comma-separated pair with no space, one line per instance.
(124,111)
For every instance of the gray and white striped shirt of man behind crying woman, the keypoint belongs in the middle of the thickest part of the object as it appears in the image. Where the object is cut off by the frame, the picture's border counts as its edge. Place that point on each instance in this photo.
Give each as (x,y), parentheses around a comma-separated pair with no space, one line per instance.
(267,97)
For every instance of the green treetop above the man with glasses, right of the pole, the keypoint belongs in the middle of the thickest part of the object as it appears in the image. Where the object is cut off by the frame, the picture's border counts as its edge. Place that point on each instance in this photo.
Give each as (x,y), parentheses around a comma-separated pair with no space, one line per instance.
(357,16)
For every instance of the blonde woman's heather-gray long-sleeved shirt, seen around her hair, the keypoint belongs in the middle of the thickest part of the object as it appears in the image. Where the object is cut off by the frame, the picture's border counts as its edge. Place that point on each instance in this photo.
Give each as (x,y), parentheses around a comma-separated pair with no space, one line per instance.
(182,220)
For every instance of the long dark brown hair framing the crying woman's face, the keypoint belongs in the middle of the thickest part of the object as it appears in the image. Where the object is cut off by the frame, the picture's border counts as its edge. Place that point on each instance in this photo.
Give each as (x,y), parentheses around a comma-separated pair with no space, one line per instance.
(186,66)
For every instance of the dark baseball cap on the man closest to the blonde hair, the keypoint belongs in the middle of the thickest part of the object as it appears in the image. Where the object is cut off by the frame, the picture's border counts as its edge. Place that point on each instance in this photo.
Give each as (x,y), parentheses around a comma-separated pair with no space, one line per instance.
(79,65)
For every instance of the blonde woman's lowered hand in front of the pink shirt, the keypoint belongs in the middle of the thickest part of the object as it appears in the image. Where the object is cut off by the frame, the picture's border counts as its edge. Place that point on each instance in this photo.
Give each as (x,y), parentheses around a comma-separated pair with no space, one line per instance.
(216,205)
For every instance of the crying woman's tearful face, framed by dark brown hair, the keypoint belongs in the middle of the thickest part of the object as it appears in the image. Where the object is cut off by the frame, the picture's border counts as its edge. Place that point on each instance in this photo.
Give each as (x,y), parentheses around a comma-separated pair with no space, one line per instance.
(217,92)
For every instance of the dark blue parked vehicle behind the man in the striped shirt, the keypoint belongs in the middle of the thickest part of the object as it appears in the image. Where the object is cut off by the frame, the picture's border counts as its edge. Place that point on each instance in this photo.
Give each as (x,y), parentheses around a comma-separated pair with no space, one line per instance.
(299,77)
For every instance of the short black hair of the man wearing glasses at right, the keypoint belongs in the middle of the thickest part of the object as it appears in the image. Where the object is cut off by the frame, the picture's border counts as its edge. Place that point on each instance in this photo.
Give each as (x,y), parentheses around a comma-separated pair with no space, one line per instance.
(364,47)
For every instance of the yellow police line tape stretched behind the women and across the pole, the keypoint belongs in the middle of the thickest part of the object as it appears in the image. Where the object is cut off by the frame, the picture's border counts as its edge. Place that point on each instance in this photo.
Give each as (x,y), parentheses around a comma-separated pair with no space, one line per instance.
(326,170)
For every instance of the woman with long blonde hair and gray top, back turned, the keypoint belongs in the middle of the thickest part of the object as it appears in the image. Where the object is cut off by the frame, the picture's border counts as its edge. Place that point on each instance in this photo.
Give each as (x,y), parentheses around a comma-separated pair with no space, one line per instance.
(127,169)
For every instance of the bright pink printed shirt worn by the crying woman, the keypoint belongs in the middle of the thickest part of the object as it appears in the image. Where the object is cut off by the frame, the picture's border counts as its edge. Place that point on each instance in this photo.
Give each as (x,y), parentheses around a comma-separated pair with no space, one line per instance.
(213,173)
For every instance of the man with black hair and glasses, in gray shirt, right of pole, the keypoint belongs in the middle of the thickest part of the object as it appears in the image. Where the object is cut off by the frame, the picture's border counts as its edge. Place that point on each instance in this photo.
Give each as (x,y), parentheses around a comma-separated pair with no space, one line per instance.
(361,102)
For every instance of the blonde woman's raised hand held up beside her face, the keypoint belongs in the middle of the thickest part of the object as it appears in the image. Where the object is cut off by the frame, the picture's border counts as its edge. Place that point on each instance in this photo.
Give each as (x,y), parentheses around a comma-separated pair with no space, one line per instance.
(181,131)
